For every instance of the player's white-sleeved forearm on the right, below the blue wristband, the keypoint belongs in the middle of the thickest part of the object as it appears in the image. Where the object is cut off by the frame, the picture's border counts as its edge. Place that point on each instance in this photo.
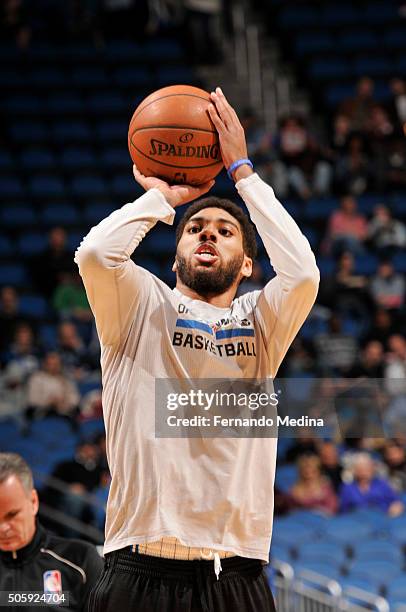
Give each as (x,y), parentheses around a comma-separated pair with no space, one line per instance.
(288,249)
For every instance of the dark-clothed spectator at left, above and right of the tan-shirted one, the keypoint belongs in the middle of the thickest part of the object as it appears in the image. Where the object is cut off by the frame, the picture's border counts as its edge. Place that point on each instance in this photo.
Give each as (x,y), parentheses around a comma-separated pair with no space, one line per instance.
(72,351)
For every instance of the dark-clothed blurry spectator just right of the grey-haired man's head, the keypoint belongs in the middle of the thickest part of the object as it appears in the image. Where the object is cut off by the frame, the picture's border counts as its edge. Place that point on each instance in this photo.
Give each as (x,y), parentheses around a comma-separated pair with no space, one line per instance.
(81,475)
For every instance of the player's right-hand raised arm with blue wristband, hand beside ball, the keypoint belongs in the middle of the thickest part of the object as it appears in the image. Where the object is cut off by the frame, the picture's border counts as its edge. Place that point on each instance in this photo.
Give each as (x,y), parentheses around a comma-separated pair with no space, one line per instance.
(287,299)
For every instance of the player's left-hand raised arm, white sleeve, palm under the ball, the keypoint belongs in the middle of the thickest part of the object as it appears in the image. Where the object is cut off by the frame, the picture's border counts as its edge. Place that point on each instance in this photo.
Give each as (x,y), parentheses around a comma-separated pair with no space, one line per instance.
(114,284)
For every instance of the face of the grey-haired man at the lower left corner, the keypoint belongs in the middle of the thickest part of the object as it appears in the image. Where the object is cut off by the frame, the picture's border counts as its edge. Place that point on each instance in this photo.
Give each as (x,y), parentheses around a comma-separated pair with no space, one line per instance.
(18,509)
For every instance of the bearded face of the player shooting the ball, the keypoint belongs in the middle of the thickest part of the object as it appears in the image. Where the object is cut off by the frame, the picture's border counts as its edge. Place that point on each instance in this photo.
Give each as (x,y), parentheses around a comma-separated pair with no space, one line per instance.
(210,256)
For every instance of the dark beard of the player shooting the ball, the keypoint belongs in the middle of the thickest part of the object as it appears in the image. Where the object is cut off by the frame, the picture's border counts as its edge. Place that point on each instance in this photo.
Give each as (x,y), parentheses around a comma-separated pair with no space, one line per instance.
(209,281)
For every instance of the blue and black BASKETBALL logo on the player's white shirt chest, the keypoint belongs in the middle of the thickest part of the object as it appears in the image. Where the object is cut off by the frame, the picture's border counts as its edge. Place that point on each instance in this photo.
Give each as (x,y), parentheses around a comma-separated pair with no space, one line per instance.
(200,335)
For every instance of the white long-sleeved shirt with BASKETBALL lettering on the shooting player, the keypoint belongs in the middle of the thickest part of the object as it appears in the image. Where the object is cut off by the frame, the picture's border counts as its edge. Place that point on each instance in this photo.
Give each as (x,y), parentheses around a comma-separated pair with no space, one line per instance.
(213,493)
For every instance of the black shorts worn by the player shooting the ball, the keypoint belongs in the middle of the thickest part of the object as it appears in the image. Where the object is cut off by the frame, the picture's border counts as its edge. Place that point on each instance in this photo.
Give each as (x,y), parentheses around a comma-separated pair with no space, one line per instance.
(141,583)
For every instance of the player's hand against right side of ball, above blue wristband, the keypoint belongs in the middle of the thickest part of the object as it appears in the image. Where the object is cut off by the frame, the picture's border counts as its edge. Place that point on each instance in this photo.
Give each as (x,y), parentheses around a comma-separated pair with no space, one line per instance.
(231,133)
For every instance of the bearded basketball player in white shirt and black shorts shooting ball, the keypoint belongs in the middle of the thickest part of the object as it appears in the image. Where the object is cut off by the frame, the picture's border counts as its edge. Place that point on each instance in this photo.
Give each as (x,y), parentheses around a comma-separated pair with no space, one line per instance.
(189,521)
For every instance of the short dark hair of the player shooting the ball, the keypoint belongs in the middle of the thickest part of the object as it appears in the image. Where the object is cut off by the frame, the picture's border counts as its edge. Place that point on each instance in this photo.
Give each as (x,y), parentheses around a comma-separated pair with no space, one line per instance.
(248,232)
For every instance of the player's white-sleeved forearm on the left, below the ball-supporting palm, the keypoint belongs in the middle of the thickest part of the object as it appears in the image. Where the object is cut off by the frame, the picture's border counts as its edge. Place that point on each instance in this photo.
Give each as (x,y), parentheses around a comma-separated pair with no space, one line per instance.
(113,240)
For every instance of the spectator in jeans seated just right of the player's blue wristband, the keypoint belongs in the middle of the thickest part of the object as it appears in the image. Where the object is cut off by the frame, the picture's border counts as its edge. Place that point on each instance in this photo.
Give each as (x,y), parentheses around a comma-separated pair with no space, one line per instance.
(302,165)
